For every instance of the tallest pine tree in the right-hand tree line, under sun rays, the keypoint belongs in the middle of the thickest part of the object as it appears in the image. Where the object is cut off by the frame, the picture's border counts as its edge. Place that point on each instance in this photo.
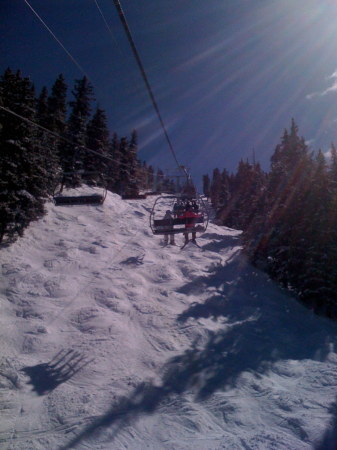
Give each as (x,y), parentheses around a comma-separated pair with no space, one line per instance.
(287,187)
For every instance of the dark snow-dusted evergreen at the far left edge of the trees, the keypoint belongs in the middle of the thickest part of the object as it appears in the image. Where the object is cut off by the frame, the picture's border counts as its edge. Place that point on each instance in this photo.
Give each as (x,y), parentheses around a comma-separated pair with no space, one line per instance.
(24,179)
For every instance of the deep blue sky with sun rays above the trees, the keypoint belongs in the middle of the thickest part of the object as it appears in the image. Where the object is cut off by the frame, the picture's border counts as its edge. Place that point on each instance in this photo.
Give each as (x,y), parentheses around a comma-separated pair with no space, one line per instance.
(228,75)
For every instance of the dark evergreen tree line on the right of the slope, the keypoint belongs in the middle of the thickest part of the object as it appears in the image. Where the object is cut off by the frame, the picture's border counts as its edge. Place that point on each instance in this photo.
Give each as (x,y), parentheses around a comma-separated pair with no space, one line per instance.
(288,216)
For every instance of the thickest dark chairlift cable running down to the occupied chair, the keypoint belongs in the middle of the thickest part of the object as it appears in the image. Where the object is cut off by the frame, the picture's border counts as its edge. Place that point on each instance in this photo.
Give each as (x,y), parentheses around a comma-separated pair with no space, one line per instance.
(146,80)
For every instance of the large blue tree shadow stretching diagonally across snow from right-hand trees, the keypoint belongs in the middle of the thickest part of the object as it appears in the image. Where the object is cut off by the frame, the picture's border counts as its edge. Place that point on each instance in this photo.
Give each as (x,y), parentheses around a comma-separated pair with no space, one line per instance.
(260,325)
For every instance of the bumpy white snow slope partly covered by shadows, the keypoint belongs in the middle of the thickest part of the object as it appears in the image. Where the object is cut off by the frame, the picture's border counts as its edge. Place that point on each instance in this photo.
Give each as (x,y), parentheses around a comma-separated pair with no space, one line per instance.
(111,341)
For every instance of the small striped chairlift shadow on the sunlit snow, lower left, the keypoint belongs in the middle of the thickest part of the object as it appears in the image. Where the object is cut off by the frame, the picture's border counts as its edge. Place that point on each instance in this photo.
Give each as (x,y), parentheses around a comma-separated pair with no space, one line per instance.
(48,376)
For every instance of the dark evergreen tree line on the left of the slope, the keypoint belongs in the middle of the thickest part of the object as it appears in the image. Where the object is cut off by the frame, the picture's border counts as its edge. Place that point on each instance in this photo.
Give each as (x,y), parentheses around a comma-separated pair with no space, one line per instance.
(71,144)
